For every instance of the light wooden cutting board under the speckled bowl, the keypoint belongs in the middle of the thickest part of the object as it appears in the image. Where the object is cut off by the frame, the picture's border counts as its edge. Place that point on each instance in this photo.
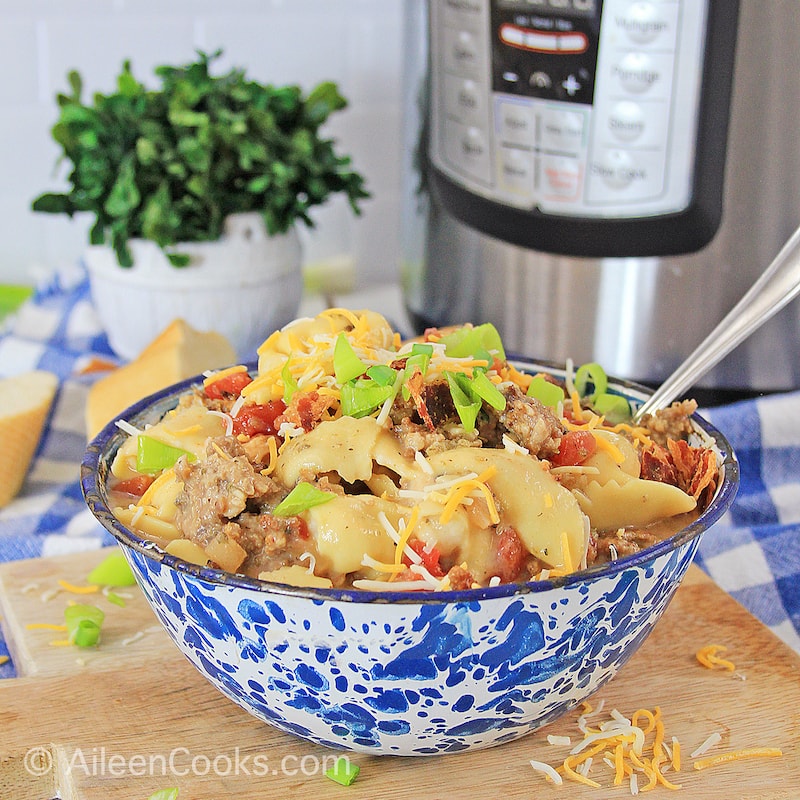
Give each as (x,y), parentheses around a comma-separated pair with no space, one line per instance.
(133,716)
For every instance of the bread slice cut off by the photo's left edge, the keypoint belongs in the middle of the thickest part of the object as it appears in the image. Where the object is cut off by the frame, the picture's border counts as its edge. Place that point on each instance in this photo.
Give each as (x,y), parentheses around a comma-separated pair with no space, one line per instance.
(25,402)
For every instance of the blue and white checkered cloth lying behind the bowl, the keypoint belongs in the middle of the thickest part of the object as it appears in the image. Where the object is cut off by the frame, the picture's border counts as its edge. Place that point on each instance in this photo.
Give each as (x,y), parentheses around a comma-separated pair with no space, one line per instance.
(753,552)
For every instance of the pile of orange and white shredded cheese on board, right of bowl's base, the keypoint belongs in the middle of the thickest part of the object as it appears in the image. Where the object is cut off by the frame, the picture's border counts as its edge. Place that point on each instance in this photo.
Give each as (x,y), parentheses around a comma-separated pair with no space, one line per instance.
(631,751)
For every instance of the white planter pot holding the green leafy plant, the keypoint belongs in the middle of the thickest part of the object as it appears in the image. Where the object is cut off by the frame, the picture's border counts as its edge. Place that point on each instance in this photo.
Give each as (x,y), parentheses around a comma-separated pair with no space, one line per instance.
(243,286)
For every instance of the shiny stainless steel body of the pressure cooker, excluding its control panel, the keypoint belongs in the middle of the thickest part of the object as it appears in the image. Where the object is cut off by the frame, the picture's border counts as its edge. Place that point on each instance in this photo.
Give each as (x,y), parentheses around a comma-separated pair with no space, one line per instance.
(637,316)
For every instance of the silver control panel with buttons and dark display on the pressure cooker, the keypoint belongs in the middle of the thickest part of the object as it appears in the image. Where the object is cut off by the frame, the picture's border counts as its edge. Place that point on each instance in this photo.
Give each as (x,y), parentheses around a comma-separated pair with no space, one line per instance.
(585,108)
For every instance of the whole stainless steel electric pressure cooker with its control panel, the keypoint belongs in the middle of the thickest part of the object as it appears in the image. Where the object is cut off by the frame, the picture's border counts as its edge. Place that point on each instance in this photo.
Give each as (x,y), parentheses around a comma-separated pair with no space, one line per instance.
(603,179)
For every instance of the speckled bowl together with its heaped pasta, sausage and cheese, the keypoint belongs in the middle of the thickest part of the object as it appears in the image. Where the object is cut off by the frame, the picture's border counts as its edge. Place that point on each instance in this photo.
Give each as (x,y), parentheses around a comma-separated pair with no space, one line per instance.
(406,547)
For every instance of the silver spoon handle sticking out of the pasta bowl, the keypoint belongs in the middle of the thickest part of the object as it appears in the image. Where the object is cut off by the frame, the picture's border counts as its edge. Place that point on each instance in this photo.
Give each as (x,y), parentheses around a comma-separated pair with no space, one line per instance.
(778,285)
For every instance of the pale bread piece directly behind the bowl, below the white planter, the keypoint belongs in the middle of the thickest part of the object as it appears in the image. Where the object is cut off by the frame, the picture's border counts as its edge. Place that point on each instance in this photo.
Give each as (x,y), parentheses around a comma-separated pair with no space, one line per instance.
(177,353)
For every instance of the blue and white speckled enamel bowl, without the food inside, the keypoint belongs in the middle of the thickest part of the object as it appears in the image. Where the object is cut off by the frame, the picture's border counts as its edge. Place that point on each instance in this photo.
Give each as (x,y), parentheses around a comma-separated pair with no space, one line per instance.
(399,673)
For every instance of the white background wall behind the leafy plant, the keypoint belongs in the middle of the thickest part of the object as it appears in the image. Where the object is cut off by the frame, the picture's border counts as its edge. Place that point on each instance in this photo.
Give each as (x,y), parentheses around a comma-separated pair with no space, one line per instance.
(357,43)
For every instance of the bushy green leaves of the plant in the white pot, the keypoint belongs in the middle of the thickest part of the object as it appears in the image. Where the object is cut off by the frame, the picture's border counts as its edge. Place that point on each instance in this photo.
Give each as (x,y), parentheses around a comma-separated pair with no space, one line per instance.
(171,164)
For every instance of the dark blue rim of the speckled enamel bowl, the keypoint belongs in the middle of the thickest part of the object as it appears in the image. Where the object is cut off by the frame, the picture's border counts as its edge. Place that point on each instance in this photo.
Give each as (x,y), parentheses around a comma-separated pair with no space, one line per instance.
(100,450)
